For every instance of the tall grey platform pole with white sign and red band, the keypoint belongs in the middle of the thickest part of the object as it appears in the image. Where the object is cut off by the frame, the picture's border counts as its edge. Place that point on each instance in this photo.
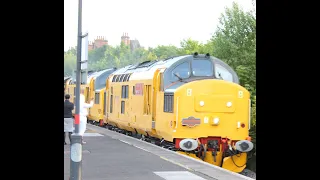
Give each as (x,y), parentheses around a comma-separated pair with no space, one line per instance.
(81,78)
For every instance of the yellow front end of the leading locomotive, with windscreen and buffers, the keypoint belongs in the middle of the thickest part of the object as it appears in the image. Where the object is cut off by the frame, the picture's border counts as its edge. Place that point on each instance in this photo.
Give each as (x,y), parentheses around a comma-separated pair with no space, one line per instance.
(210,112)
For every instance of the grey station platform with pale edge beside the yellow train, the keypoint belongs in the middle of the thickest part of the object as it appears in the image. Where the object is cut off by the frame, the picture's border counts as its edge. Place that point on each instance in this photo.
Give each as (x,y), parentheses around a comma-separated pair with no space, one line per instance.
(108,155)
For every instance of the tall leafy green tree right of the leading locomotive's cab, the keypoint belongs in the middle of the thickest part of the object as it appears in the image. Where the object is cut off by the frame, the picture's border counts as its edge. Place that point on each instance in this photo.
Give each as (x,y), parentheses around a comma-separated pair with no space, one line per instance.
(235,43)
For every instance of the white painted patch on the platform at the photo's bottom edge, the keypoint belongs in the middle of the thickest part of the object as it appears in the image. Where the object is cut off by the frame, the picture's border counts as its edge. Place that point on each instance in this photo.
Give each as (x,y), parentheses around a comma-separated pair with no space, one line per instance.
(178,175)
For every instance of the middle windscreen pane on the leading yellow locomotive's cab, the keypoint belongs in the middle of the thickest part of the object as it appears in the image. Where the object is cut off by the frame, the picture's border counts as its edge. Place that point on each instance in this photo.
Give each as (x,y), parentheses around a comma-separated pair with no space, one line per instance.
(202,68)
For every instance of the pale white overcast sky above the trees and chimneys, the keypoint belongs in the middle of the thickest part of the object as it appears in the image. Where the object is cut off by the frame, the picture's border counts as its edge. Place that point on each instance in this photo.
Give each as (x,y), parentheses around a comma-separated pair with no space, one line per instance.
(151,22)
